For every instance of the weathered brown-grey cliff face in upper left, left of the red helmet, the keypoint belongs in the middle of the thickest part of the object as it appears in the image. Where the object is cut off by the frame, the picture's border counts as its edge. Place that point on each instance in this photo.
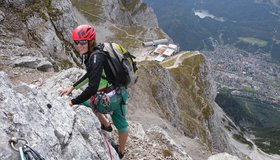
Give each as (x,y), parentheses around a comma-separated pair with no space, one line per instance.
(37,29)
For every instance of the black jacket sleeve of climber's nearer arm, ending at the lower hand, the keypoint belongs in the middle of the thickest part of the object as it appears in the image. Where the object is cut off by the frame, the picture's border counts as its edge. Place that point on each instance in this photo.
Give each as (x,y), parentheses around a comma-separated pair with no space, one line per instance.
(94,72)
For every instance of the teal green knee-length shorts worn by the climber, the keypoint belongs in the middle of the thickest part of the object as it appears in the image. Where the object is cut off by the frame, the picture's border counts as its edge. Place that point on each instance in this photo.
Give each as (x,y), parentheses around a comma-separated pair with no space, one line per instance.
(118,109)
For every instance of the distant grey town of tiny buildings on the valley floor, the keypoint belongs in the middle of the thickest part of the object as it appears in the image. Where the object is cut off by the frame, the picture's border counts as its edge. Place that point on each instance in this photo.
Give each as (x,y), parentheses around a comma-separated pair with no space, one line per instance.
(249,75)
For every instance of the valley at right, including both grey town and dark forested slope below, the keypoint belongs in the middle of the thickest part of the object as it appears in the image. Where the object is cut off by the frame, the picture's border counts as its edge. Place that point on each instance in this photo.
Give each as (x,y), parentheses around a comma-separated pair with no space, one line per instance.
(249,91)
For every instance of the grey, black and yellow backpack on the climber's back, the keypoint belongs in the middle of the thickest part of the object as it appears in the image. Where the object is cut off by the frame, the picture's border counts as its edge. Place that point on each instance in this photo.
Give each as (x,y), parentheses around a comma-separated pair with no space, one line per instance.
(122,65)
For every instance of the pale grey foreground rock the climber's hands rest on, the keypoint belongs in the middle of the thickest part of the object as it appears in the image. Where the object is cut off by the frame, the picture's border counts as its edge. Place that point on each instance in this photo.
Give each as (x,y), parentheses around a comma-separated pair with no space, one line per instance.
(55,130)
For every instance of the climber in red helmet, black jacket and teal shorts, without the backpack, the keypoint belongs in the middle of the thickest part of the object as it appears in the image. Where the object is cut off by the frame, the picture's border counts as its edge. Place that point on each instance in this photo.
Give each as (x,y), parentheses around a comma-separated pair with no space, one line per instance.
(99,95)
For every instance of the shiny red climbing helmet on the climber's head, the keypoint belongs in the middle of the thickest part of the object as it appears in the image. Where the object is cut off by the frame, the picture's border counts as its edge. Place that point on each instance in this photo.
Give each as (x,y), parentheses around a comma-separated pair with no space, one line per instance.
(83,32)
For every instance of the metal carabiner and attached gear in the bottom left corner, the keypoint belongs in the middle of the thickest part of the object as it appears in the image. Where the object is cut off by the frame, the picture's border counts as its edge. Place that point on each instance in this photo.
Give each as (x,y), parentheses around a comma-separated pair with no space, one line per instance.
(25,151)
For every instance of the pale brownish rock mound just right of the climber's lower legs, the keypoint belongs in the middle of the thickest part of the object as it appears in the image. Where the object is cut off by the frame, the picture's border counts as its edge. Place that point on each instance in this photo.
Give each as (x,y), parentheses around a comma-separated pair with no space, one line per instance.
(153,143)
